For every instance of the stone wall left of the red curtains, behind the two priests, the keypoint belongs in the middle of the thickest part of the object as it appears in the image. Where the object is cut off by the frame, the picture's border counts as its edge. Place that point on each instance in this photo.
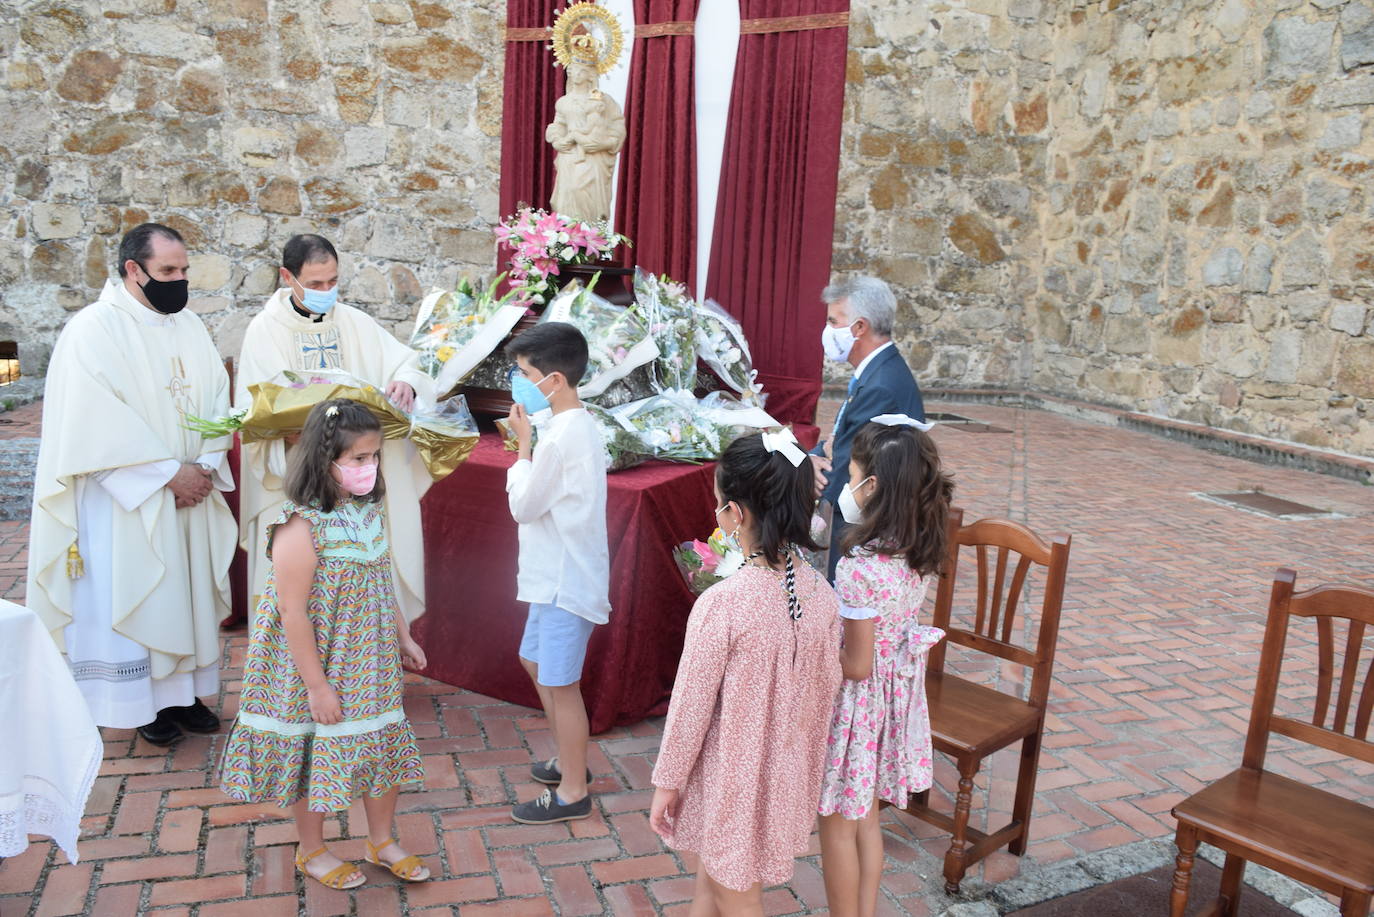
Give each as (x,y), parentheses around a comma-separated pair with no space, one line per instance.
(241,123)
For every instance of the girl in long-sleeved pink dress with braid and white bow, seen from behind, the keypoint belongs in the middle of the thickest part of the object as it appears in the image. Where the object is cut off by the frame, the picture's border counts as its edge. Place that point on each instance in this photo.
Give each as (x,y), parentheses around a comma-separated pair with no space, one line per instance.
(744,749)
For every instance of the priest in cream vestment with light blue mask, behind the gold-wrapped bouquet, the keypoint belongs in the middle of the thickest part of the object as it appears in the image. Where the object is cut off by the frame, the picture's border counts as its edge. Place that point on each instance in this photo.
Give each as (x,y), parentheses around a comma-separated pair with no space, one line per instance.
(304,328)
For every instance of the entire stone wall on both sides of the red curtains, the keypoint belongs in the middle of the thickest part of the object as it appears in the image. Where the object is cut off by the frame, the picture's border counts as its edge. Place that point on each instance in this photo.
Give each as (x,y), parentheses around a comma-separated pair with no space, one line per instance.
(1162,206)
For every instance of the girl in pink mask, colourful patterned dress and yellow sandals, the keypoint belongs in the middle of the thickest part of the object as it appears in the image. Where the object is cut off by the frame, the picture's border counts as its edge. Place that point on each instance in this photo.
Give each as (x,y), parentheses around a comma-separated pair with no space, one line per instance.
(321,718)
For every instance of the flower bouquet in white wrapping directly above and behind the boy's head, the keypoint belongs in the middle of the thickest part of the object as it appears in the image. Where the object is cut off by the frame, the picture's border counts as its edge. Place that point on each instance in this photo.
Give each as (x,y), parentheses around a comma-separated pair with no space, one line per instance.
(618,340)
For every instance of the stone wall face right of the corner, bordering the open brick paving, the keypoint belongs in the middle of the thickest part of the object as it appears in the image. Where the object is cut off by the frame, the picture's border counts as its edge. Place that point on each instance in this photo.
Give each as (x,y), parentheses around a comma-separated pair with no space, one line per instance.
(1208,215)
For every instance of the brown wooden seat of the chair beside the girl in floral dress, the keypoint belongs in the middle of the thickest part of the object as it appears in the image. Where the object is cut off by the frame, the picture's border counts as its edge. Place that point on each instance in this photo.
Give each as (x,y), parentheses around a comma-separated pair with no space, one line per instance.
(975,720)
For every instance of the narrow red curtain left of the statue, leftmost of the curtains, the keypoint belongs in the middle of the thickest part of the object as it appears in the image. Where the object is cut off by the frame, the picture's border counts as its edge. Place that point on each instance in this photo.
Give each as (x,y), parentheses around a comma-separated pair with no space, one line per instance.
(532,87)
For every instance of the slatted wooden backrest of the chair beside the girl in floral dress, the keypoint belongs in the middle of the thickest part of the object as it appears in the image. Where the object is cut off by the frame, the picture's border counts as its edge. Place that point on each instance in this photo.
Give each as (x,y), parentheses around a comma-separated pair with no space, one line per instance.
(1002,546)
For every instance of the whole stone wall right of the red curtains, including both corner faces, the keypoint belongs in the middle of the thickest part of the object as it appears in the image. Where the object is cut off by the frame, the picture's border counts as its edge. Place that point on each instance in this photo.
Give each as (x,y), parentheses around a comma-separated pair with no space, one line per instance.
(1160,206)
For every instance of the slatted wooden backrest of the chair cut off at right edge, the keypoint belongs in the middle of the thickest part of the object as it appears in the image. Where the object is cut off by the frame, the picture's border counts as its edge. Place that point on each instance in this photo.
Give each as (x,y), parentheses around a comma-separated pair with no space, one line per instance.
(1343,728)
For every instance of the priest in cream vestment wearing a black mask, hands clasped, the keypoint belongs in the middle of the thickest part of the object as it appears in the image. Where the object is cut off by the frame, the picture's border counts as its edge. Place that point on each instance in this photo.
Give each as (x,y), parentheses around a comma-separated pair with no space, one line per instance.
(131,540)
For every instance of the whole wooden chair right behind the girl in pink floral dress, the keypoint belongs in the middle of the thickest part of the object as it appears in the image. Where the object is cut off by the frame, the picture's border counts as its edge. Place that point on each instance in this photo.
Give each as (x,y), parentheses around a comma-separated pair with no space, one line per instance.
(969,721)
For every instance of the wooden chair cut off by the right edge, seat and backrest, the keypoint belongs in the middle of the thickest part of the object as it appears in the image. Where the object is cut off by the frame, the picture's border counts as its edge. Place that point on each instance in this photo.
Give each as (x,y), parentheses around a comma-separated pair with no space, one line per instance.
(1258,816)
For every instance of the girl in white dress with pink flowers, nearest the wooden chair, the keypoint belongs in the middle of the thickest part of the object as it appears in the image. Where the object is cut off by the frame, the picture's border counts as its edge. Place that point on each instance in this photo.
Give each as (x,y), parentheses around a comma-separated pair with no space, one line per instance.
(880,738)
